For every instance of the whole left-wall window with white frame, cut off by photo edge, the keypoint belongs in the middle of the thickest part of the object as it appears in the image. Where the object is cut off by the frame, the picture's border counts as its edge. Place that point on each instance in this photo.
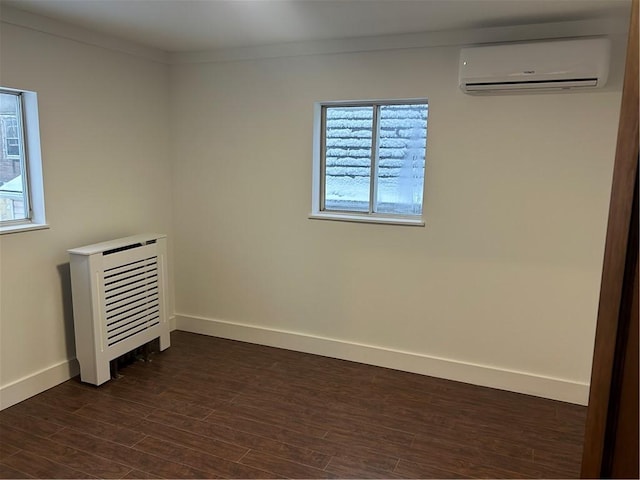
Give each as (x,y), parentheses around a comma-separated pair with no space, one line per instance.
(21,195)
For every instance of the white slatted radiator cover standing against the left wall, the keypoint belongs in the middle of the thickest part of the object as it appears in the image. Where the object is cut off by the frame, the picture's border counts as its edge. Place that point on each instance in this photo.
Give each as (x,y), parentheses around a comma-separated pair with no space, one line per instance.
(119,293)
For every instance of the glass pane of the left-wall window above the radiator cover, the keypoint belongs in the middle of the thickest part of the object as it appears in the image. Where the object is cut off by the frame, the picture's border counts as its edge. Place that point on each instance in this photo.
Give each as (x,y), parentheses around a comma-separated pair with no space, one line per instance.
(13,205)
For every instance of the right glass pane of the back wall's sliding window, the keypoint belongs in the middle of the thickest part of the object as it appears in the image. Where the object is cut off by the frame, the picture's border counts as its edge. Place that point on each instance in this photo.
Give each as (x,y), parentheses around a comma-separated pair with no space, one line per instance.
(401,161)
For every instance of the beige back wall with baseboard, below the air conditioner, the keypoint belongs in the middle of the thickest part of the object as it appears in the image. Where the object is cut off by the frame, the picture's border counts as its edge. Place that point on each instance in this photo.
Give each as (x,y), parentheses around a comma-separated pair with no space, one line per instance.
(504,277)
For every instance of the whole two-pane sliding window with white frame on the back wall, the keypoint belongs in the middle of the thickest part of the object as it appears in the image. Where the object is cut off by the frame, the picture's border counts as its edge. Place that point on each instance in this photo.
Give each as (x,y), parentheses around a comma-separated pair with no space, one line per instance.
(369,161)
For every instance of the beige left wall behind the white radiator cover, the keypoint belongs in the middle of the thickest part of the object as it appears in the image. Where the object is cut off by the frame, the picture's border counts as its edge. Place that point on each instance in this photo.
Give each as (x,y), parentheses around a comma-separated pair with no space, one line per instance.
(104,137)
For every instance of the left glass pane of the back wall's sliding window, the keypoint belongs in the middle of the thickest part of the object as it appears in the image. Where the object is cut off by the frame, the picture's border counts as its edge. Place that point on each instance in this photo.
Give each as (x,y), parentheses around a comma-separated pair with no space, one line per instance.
(348,136)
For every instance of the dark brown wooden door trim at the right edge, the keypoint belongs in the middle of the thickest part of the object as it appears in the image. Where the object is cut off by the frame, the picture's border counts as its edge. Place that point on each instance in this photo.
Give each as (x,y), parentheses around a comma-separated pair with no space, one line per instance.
(610,323)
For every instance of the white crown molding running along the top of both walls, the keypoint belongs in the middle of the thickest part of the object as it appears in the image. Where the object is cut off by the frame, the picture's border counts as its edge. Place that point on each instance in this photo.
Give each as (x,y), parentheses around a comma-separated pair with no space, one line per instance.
(604,26)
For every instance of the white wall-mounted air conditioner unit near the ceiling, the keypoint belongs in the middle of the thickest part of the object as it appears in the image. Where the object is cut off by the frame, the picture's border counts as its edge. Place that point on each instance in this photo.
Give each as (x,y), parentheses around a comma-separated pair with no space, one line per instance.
(542,66)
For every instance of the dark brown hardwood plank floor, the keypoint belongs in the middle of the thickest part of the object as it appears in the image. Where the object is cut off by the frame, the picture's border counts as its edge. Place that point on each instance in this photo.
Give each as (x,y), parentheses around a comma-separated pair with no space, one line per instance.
(214,408)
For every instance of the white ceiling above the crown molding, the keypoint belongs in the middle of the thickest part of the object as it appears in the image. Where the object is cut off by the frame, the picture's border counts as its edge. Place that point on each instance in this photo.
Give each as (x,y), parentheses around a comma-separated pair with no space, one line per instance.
(203,25)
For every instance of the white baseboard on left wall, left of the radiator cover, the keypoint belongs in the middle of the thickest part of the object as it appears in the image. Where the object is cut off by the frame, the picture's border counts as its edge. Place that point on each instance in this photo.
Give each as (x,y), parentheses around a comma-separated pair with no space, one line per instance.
(38,382)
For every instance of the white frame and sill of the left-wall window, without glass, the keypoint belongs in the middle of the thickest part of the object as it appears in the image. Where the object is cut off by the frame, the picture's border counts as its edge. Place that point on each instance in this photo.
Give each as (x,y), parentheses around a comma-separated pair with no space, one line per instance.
(31,168)
